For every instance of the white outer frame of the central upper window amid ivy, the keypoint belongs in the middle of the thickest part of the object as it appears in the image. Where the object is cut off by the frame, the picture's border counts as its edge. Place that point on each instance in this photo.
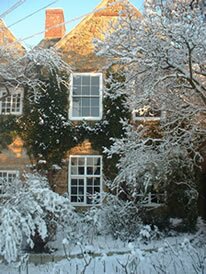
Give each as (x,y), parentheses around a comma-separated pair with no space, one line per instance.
(88,118)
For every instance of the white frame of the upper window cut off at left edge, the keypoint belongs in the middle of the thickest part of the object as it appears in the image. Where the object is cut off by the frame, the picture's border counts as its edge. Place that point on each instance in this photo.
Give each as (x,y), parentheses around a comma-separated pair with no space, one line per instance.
(13,92)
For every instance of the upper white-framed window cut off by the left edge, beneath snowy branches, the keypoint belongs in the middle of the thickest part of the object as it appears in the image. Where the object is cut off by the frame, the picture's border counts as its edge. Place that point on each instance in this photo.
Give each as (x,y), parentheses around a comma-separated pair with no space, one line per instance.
(12,103)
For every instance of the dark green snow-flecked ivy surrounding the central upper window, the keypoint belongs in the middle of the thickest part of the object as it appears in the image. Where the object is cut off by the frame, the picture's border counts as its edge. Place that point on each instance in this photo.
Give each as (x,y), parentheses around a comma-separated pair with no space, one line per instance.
(48,134)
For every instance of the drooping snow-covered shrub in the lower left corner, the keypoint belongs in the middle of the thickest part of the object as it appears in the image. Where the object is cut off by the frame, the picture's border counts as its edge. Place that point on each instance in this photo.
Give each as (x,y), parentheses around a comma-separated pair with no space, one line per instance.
(24,210)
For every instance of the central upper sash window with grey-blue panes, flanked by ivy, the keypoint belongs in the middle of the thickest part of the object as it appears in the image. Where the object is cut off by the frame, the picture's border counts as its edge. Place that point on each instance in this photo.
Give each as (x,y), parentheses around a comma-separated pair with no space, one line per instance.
(86,96)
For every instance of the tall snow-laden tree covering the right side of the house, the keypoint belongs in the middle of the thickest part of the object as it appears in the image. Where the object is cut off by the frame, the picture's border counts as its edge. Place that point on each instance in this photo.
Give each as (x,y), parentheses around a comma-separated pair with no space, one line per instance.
(163,56)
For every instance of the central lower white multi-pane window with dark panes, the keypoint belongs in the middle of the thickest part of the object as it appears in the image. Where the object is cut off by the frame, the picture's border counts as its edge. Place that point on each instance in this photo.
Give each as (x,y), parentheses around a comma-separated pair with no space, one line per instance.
(85,179)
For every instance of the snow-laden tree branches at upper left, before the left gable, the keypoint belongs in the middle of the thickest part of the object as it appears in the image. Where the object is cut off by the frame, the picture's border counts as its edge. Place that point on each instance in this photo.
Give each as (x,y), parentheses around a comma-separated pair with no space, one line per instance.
(23,69)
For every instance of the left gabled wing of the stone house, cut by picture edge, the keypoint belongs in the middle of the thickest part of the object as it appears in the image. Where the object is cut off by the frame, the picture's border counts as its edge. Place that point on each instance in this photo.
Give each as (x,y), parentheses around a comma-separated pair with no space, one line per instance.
(14,159)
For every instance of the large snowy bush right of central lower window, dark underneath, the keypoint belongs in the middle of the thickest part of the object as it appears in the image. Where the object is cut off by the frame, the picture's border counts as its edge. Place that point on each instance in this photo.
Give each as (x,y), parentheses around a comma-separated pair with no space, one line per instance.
(155,165)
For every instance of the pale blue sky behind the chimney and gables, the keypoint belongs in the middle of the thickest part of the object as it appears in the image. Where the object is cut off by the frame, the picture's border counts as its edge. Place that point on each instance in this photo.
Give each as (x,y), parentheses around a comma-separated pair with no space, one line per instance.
(35,24)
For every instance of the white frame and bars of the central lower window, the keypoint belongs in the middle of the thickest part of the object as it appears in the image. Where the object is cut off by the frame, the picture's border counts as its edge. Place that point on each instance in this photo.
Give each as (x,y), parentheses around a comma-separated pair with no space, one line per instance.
(84,177)
